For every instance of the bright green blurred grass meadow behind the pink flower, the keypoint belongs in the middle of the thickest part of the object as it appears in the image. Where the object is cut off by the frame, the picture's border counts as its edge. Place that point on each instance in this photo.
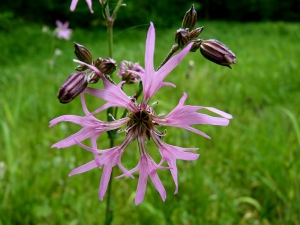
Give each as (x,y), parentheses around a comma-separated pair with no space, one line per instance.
(248,173)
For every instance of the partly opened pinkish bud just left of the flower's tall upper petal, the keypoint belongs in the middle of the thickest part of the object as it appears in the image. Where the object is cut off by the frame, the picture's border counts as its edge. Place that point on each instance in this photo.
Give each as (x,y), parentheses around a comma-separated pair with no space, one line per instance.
(127,76)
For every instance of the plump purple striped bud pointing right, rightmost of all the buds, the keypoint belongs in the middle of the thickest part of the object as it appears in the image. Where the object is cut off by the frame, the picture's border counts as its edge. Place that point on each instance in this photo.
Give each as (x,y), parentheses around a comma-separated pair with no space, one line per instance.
(217,52)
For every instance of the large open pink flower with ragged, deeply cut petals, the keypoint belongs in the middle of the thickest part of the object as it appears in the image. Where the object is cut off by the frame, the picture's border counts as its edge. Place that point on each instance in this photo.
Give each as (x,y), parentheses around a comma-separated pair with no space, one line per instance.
(141,124)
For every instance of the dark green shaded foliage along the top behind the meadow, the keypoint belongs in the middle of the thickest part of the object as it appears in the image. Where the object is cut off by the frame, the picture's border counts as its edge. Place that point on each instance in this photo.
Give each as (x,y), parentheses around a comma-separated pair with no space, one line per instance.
(162,13)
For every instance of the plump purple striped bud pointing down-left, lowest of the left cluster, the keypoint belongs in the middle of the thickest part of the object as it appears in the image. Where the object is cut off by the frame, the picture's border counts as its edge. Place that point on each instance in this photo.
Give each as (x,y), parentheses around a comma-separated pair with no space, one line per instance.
(72,87)
